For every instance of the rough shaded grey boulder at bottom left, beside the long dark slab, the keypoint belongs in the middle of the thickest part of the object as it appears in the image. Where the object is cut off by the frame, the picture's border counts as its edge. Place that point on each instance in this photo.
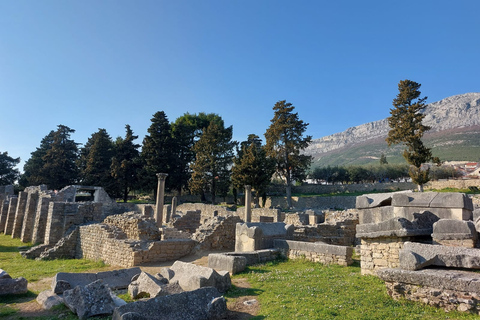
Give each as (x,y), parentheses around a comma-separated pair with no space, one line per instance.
(94,299)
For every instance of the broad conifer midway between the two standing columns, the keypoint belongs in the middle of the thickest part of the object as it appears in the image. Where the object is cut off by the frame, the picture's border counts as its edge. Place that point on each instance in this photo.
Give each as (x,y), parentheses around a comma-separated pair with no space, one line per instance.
(211,167)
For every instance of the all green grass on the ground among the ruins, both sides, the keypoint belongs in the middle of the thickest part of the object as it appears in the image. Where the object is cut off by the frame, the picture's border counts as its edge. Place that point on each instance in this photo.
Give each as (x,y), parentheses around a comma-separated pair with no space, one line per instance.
(285,289)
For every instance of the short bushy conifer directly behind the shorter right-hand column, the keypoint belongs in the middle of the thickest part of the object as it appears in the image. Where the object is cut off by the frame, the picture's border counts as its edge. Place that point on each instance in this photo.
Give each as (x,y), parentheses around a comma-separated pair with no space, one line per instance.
(252,167)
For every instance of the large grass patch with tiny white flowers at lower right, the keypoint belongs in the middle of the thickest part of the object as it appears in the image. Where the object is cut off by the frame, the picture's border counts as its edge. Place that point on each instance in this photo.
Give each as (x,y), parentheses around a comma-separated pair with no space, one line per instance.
(306,290)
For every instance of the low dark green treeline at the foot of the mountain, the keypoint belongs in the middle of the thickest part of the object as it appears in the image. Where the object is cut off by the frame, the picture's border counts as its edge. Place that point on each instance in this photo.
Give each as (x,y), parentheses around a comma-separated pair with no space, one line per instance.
(374,173)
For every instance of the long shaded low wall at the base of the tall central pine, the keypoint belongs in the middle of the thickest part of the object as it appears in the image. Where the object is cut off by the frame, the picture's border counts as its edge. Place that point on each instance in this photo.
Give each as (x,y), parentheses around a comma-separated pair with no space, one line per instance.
(338,202)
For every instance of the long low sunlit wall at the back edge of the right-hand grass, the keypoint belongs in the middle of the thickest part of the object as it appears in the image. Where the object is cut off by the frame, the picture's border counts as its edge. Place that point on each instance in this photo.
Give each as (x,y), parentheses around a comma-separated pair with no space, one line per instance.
(315,252)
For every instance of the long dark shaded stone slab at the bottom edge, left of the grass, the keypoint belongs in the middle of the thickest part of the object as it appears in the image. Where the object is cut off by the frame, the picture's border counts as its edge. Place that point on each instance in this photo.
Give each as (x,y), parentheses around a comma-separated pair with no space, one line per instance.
(200,304)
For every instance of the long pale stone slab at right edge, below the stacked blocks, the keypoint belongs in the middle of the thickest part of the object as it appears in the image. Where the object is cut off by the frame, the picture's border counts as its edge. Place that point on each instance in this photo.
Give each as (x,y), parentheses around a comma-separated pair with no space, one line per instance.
(415,256)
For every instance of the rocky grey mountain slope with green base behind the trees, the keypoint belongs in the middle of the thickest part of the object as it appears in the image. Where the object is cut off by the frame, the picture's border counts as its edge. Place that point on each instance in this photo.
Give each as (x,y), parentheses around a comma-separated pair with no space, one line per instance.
(455,135)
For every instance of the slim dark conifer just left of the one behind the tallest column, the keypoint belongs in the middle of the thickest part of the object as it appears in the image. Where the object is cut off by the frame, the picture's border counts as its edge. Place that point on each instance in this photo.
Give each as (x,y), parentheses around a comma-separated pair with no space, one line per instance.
(126,163)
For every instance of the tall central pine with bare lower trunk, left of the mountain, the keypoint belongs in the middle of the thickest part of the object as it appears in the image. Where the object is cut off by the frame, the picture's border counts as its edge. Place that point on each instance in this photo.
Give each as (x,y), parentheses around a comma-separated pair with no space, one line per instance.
(285,141)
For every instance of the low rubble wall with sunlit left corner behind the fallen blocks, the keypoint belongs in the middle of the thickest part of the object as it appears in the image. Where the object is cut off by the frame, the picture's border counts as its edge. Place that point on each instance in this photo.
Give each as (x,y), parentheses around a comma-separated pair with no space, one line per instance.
(109,244)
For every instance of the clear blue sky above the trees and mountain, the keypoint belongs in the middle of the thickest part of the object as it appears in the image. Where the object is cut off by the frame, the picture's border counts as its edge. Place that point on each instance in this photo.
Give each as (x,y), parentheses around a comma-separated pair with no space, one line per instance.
(104,64)
